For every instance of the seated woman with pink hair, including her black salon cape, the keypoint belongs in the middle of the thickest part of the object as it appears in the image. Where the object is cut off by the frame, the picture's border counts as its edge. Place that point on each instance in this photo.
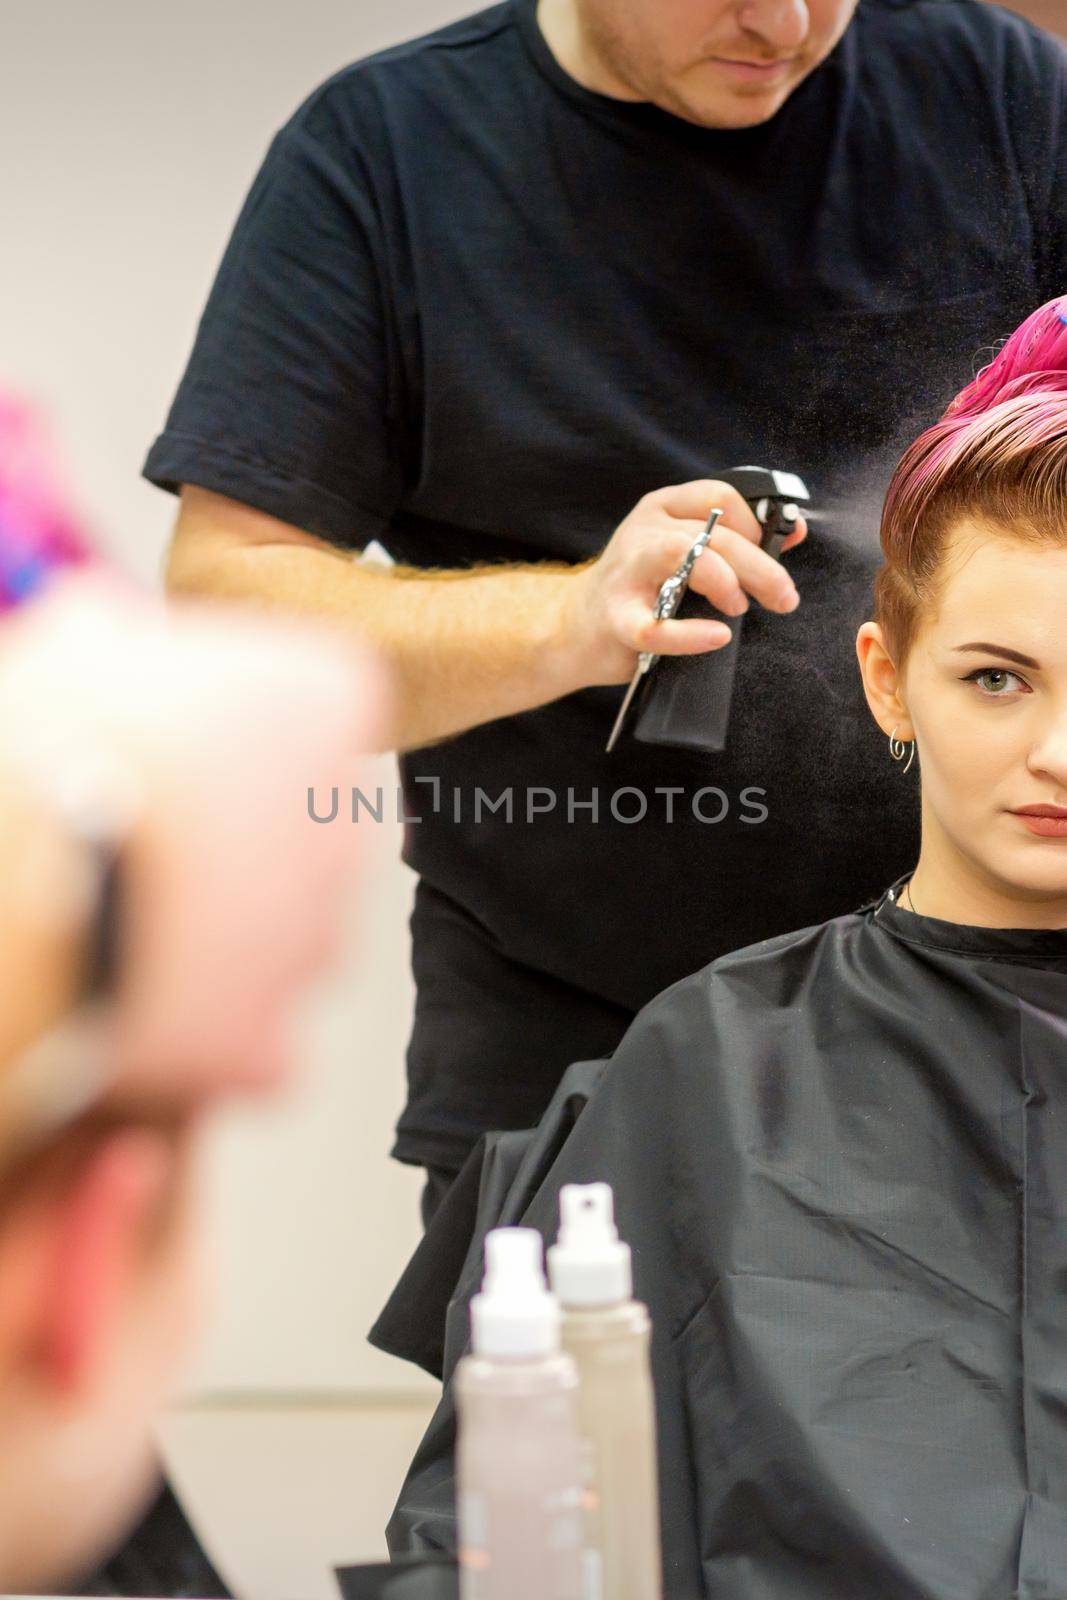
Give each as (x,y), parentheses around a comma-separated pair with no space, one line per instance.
(841,1156)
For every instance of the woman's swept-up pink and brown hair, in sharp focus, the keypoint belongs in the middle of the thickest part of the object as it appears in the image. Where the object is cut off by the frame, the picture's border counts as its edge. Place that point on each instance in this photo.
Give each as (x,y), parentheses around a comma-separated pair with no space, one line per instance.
(999,457)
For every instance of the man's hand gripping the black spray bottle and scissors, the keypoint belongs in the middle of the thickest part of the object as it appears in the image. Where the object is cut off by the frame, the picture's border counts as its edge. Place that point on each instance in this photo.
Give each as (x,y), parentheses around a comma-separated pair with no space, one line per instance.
(613,601)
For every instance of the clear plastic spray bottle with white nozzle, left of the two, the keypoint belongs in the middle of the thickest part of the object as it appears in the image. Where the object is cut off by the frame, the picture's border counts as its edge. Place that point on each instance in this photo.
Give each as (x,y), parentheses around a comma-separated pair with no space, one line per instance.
(518,1455)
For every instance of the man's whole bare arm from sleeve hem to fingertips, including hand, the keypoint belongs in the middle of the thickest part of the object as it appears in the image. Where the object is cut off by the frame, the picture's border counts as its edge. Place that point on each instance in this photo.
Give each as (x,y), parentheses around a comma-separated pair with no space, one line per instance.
(471,647)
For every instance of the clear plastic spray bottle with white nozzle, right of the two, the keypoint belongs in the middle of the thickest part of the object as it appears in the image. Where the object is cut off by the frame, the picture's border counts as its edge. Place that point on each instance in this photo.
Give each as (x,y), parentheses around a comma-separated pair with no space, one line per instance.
(609,1335)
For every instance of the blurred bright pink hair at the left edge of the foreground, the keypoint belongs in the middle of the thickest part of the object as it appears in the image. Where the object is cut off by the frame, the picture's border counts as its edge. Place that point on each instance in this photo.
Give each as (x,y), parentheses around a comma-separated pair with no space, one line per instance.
(39,534)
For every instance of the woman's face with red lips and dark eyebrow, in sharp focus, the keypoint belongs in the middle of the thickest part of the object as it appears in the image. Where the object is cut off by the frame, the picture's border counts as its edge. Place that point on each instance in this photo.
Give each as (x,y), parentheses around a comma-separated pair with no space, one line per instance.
(986,694)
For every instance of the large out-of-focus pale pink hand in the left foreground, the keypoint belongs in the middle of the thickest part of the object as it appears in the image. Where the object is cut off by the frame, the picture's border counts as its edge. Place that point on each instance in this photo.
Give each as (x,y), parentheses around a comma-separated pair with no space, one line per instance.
(238,897)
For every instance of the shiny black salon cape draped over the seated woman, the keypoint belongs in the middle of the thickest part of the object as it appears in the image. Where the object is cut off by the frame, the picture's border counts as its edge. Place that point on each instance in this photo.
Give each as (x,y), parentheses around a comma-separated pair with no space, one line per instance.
(841,1158)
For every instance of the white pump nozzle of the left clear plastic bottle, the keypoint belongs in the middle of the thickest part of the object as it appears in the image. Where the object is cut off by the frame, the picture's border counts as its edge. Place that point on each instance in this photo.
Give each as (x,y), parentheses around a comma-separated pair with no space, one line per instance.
(514,1316)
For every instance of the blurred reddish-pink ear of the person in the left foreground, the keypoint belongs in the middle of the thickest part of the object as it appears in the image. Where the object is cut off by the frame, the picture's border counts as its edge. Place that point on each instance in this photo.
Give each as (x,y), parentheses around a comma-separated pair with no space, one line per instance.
(95,1254)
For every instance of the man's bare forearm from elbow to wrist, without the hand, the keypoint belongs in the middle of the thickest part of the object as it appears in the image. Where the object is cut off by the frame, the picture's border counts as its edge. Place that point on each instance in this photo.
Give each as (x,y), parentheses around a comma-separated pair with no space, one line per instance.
(463,649)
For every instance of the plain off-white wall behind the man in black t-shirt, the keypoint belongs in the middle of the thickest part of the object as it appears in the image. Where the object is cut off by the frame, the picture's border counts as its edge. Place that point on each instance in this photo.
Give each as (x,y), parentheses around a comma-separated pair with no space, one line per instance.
(129,134)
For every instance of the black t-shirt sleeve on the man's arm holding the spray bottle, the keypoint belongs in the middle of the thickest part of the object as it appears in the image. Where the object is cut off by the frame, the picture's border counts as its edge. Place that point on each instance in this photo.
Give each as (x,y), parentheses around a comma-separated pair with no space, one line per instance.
(289,402)
